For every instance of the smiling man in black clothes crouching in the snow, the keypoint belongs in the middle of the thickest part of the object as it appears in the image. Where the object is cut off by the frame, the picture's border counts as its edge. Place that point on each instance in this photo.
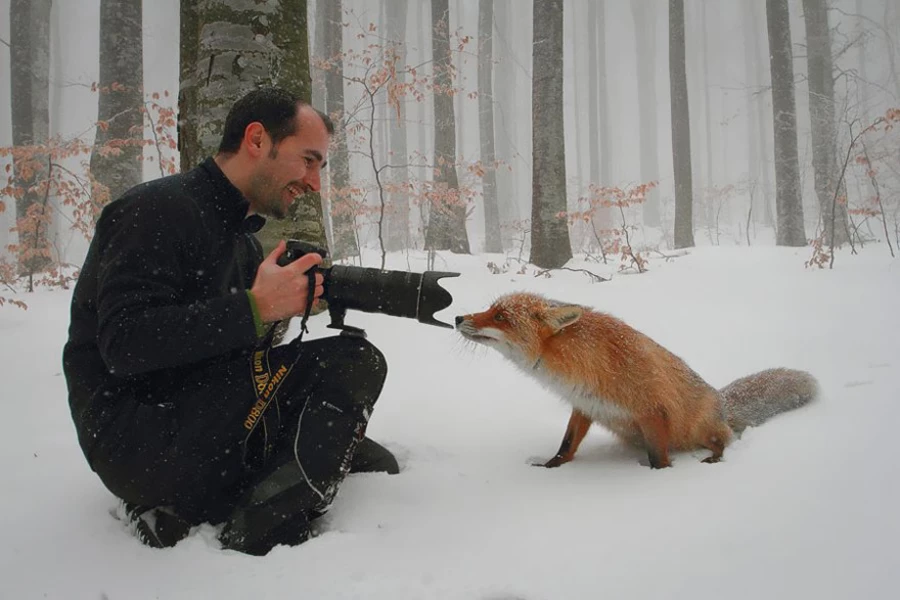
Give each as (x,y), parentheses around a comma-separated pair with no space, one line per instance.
(179,407)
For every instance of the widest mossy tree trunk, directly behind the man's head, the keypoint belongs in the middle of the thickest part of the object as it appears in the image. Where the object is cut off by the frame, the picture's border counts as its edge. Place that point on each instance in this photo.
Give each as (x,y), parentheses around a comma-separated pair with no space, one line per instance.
(229,49)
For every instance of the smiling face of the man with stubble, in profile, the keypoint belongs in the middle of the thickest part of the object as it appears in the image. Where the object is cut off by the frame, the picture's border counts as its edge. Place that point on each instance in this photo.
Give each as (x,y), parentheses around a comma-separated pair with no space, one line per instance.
(290,168)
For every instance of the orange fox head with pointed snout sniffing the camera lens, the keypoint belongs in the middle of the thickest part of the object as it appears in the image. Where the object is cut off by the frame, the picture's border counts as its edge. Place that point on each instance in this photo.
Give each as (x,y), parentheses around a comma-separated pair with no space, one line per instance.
(518,324)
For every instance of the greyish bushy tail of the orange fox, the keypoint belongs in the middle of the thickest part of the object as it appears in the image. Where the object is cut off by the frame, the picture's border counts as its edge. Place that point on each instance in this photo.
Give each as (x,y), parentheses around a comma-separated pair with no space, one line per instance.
(754,399)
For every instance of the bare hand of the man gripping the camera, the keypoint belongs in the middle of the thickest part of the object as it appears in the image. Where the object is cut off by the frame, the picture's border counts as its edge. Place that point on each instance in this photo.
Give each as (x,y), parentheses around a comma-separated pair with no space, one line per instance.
(282,292)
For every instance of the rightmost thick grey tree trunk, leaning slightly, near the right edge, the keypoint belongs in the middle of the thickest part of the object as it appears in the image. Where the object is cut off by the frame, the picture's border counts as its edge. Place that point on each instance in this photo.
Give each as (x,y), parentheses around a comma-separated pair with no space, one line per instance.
(826,169)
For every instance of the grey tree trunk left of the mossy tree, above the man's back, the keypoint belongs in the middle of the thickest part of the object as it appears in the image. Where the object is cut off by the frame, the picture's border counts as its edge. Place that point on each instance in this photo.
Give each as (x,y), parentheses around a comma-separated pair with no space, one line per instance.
(120,111)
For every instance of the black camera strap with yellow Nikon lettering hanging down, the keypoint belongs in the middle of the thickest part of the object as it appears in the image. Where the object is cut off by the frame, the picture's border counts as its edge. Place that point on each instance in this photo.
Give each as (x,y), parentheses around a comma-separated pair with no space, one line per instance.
(267,380)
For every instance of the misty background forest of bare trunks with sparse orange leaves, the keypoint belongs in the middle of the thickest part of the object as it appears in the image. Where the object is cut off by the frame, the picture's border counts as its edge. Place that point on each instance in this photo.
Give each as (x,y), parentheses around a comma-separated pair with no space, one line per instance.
(612,131)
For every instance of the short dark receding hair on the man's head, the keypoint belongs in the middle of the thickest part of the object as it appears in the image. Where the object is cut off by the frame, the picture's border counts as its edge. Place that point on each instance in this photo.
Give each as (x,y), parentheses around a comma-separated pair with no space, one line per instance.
(276,108)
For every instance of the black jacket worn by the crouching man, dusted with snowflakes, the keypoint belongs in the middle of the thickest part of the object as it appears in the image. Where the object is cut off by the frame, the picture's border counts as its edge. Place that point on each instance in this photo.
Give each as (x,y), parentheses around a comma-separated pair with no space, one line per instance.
(162,291)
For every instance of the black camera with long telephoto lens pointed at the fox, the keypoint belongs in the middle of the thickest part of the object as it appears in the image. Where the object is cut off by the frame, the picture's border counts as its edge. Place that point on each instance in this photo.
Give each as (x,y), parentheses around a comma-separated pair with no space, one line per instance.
(395,293)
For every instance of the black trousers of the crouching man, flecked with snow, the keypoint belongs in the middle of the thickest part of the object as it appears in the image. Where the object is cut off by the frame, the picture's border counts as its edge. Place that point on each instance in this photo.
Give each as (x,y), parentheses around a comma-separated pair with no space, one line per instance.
(204,446)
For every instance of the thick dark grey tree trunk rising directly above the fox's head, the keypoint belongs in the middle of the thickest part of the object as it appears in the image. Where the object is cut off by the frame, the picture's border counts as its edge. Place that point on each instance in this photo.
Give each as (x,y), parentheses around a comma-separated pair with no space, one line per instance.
(550,247)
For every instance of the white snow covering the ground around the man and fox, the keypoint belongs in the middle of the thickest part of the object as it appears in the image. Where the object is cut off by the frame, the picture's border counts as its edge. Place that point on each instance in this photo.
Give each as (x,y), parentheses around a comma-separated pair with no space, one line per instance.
(803,507)
